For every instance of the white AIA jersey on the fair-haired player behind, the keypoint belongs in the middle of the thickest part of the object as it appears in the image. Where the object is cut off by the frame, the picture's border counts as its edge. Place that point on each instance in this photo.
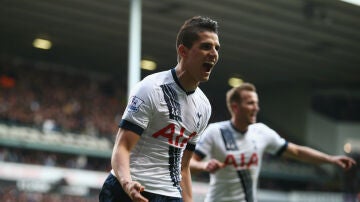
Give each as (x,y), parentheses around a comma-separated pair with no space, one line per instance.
(242,154)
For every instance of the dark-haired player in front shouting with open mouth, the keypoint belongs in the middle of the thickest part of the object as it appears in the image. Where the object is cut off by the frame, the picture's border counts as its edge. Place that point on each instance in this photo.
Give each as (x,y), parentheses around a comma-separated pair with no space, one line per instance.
(162,123)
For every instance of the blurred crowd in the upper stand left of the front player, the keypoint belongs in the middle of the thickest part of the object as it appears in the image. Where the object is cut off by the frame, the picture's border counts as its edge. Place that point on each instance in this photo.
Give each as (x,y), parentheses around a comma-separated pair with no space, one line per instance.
(59,100)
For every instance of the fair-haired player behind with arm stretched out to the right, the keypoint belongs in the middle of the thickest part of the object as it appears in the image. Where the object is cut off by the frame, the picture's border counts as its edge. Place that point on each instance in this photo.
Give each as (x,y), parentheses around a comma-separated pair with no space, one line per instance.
(235,148)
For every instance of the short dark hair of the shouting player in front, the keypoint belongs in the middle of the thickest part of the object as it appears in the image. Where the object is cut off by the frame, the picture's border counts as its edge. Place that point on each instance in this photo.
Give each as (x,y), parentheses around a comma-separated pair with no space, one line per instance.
(188,32)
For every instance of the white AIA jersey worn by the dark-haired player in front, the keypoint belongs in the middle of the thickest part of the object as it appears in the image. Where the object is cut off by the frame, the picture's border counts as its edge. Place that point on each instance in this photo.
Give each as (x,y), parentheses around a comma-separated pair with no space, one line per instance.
(168,120)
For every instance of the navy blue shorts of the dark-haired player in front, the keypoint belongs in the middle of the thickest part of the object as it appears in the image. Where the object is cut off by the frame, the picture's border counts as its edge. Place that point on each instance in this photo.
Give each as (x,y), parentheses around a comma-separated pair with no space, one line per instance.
(113,192)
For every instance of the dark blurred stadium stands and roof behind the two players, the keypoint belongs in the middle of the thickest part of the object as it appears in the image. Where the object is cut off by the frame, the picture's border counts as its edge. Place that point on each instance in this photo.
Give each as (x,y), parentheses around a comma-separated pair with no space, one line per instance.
(64,80)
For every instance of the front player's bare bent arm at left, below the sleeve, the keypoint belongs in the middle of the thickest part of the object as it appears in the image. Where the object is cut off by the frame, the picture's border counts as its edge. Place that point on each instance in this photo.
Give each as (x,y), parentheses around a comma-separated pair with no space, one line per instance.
(120,161)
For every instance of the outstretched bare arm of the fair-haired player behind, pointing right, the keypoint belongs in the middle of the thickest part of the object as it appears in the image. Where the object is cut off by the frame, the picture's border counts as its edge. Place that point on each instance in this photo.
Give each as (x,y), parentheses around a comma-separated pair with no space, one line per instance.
(309,155)
